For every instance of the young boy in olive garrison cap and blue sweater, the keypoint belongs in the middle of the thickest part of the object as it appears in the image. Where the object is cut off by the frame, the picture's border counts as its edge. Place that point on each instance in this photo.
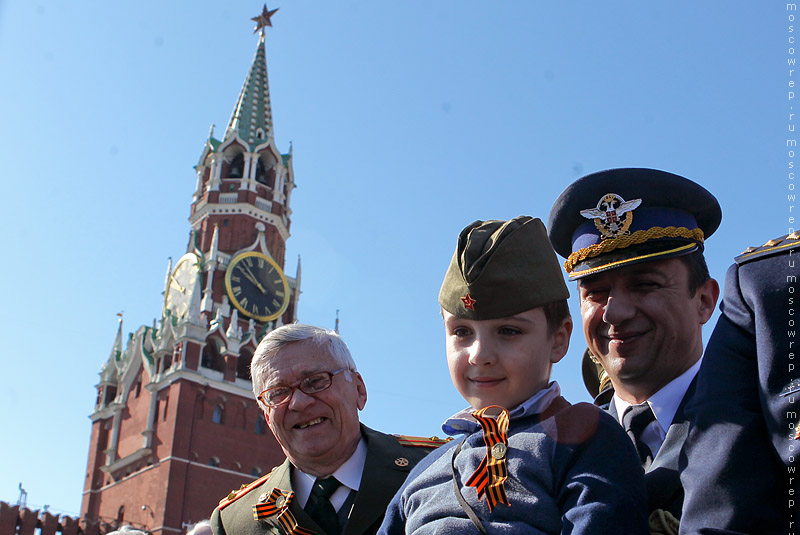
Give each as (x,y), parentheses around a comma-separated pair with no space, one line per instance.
(528,462)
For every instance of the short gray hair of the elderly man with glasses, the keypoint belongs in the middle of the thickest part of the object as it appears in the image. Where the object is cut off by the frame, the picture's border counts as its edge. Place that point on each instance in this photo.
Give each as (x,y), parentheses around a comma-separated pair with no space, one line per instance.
(271,344)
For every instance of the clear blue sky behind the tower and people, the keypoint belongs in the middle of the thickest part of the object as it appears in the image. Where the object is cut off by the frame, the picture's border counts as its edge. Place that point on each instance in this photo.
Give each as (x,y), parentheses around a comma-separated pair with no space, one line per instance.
(409,121)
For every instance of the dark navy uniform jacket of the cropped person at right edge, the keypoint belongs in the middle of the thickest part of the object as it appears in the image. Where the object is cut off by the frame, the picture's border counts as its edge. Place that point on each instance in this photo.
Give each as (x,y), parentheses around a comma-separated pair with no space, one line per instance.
(740,451)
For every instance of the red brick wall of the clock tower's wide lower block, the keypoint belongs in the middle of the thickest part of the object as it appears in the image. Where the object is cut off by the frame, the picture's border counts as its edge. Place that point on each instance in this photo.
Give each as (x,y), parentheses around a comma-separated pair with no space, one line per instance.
(181,488)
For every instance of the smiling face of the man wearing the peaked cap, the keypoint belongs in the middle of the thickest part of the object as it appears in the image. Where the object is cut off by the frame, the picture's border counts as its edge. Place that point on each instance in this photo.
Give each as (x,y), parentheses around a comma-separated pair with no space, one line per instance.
(642,324)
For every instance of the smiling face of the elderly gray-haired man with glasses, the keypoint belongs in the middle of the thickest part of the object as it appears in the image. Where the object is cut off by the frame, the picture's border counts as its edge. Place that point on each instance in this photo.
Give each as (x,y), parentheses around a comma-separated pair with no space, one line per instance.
(317,432)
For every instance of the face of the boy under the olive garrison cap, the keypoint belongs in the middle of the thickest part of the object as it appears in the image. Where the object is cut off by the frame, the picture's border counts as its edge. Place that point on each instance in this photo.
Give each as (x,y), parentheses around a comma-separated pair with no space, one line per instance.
(503,361)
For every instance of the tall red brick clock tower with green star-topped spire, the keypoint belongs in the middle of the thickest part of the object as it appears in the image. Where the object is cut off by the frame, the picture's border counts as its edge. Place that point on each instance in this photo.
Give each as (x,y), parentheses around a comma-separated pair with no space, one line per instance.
(175,426)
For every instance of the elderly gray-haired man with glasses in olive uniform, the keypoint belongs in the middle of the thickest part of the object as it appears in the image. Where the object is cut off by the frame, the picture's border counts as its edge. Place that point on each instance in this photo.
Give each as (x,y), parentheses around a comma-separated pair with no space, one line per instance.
(338,475)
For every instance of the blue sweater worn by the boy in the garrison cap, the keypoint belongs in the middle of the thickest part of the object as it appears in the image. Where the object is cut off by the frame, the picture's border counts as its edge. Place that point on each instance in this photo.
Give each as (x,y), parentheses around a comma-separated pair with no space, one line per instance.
(571,469)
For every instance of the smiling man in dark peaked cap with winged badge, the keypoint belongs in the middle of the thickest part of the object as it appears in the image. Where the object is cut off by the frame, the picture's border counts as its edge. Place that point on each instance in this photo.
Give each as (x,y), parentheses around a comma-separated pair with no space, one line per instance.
(633,240)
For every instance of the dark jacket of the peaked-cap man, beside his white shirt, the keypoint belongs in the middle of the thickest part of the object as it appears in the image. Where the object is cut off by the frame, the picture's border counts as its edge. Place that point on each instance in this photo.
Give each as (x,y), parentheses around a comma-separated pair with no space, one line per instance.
(662,478)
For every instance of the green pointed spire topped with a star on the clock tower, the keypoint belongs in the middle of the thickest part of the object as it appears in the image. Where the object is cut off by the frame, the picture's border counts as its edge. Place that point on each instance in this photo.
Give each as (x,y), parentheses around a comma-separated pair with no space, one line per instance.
(252,115)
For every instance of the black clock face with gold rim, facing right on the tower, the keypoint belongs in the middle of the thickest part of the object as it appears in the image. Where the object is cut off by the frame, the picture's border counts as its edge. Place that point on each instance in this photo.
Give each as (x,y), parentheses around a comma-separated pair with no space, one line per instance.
(256,286)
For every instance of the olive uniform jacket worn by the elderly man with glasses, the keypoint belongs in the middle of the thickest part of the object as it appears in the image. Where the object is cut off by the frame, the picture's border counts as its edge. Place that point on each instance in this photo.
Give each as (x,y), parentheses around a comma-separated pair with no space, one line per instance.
(386,467)
